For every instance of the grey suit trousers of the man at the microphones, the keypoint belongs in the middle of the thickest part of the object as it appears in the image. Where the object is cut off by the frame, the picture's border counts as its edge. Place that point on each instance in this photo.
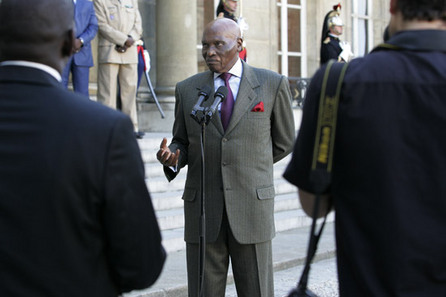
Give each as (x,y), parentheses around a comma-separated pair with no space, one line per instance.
(251,265)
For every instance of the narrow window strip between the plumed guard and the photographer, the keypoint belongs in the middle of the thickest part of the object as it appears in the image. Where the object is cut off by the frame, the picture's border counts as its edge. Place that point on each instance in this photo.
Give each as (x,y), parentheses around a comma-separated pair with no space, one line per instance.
(362,27)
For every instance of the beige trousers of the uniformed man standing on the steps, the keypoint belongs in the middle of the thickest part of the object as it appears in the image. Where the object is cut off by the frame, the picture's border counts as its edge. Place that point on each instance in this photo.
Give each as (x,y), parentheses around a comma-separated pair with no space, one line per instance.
(108,76)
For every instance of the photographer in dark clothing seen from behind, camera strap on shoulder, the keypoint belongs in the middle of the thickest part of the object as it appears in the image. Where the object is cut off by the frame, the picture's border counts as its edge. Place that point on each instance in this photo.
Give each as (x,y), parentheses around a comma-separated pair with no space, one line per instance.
(388,185)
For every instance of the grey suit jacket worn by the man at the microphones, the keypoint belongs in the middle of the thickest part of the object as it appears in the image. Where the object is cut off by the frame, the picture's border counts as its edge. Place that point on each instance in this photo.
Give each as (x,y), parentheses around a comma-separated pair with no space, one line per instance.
(239,161)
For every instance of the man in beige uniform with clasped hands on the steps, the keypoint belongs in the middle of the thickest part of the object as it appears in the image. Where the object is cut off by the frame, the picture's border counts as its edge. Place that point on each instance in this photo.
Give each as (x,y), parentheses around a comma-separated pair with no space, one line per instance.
(120,26)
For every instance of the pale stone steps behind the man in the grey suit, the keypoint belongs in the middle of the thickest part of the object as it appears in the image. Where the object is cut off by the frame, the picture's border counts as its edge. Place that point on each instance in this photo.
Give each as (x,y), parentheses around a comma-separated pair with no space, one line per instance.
(166,197)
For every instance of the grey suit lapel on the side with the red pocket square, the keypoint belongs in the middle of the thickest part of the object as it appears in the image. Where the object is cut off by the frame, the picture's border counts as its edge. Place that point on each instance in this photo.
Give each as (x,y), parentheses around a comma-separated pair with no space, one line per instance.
(245,96)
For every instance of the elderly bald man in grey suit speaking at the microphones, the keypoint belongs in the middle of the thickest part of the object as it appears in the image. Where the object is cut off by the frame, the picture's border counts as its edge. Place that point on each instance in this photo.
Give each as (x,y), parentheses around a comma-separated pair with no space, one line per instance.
(239,195)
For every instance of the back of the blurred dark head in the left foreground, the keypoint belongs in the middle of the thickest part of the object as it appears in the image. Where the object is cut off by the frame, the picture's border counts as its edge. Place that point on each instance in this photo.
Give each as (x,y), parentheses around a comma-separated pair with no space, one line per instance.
(37,31)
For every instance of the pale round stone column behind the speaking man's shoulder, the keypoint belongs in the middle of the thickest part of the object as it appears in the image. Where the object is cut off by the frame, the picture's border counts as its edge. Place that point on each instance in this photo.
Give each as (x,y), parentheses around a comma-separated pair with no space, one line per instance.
(176,39)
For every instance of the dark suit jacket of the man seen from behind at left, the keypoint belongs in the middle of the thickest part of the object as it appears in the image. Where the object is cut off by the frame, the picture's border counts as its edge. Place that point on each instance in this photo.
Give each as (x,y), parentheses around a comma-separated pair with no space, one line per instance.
(76,218)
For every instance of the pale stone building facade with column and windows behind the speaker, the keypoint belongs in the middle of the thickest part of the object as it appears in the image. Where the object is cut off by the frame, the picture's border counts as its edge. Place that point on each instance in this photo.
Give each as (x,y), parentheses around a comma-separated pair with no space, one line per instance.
(283,35)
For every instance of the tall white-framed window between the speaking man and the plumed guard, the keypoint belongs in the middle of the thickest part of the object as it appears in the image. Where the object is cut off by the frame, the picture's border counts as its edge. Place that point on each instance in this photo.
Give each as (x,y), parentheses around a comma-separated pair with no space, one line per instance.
(292,42)
